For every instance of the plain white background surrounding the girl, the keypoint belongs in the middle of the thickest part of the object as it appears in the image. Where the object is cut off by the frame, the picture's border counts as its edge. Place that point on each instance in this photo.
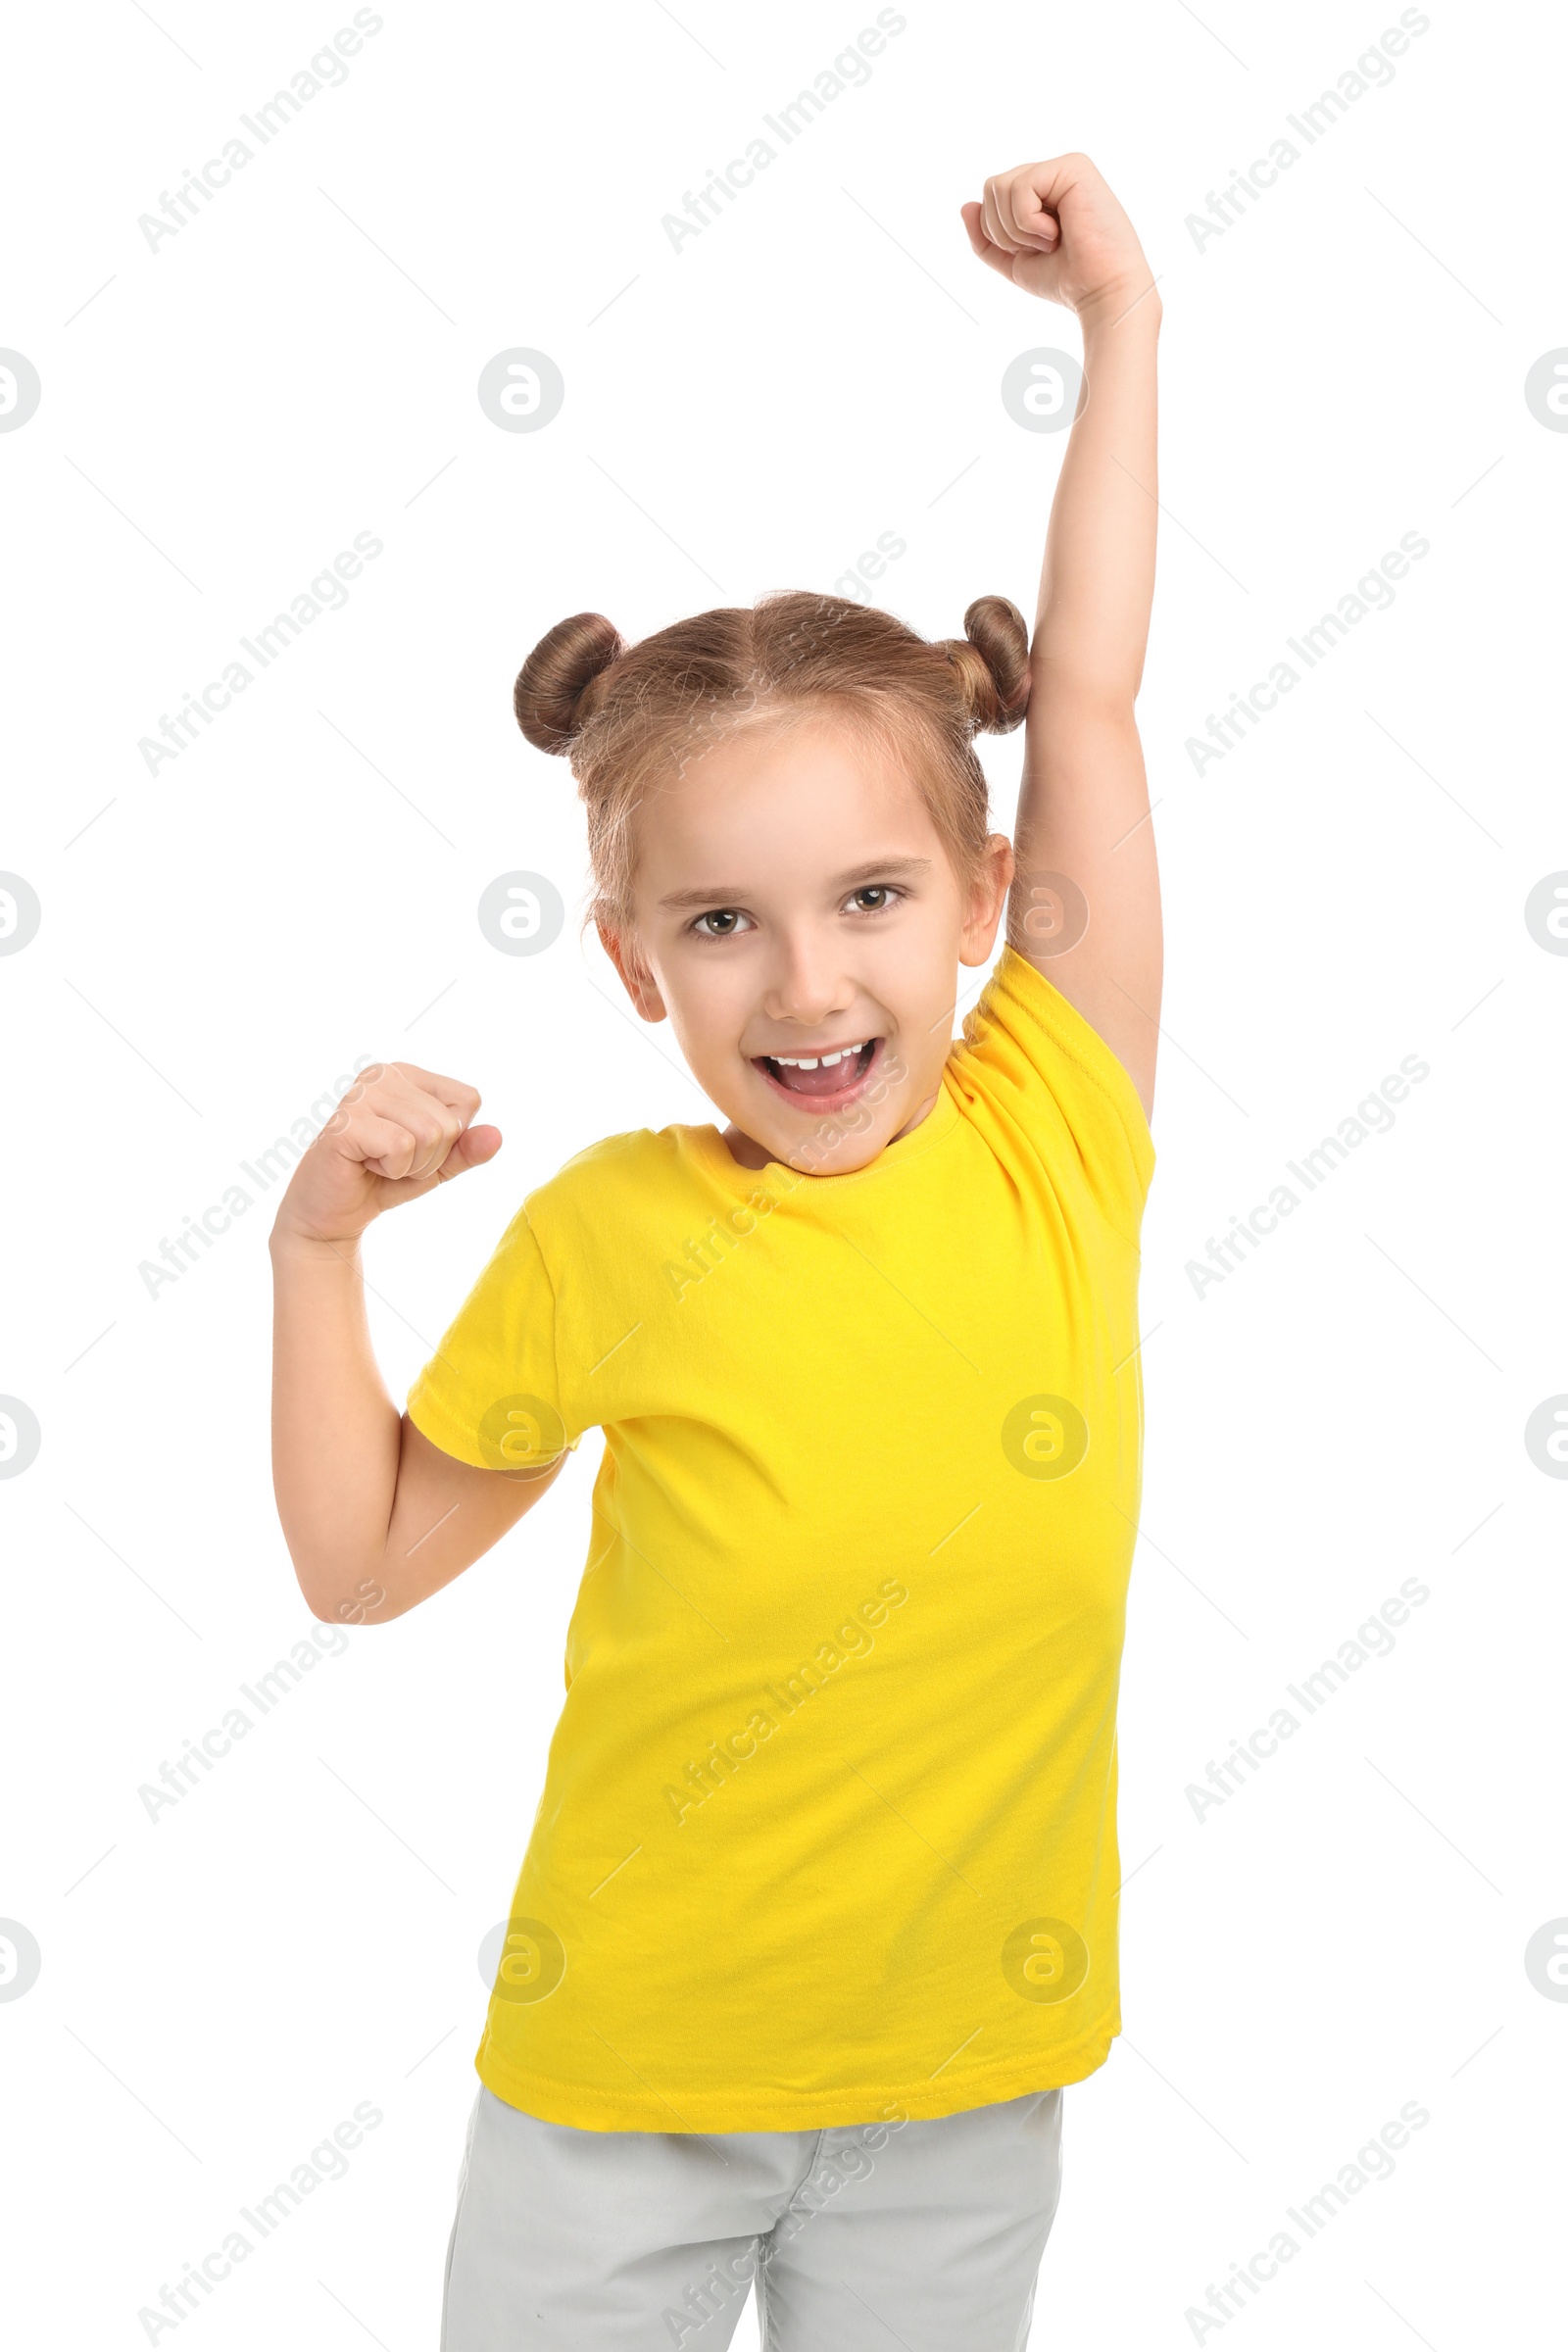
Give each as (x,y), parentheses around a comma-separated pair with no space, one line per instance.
(220,942)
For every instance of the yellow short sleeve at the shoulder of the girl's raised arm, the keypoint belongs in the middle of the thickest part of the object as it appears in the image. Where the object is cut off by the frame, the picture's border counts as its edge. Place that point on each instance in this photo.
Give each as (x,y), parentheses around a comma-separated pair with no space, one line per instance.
(1036,1064)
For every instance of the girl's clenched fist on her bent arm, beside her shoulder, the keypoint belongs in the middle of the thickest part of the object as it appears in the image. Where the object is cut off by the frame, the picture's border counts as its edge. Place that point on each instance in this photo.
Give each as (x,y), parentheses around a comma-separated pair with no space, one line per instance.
(396,1135)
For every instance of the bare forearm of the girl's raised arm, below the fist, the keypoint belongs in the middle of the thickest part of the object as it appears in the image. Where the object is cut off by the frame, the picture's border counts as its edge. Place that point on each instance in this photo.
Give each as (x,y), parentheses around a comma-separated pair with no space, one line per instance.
(1097,580)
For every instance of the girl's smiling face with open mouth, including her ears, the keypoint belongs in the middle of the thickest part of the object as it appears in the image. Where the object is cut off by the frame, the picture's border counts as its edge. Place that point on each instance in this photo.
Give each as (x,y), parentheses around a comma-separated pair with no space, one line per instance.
(796,904)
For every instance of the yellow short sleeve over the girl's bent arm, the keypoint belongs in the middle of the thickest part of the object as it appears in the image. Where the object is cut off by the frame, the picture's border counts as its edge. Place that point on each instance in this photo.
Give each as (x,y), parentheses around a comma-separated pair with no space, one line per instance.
(490,1394)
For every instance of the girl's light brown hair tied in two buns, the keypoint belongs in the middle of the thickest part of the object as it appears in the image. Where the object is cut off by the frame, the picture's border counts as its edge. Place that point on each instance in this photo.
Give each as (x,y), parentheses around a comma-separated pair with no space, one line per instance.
(636,716)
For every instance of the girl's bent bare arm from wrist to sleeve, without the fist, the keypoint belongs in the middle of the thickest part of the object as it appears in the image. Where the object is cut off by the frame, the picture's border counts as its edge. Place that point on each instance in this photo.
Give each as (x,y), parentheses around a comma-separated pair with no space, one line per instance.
(375,1516)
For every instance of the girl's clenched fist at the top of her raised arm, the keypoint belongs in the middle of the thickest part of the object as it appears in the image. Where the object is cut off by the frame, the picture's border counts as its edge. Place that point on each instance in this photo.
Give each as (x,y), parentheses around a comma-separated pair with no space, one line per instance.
(1057,232)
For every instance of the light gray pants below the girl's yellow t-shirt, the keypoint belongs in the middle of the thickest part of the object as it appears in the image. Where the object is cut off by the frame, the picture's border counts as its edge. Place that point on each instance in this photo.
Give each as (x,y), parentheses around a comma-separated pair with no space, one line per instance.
(859,2238)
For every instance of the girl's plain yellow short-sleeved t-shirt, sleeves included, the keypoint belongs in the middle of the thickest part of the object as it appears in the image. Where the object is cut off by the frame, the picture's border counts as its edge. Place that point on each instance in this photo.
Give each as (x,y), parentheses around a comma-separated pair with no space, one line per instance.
(829,1819)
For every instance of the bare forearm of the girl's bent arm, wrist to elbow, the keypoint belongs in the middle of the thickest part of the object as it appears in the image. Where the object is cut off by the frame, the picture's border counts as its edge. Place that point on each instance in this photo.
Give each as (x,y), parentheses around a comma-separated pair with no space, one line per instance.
(335,1431)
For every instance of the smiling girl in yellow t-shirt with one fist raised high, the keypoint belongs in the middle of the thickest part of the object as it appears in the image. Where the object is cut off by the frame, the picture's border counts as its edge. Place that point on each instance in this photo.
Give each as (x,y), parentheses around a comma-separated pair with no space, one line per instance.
(819,1913)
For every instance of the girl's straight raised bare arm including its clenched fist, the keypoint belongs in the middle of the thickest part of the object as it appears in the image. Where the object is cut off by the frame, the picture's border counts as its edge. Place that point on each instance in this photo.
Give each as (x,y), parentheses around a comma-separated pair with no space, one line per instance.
(1085,902)
